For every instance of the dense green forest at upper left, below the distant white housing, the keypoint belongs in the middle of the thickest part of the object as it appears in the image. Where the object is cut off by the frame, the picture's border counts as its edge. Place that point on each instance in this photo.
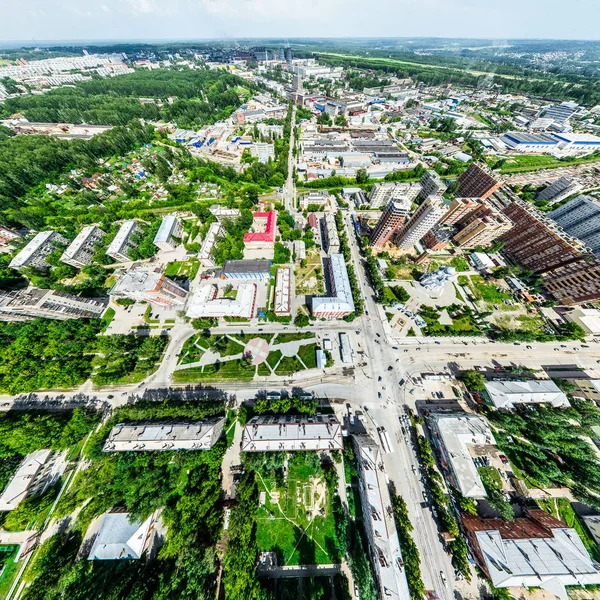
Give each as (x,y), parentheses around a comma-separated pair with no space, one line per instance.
(201,97)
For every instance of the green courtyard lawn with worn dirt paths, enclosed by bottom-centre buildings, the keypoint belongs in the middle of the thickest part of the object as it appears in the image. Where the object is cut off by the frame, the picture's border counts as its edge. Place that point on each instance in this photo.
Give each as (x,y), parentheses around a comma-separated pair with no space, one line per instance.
(295,518)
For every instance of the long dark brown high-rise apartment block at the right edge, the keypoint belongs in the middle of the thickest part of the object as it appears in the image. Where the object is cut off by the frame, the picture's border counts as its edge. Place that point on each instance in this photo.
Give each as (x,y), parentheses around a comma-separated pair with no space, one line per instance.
(570,271)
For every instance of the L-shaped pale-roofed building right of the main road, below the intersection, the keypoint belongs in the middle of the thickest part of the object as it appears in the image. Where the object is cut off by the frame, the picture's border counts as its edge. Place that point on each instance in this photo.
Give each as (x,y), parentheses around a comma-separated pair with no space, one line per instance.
(455,435)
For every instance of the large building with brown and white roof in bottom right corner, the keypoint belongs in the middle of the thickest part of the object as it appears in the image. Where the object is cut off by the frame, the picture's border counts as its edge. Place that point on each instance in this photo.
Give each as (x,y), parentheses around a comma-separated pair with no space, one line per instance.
(532,551)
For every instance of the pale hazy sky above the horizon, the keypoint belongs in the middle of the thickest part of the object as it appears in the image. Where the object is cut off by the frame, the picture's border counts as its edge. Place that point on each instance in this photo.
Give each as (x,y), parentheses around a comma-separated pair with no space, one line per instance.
(32,20)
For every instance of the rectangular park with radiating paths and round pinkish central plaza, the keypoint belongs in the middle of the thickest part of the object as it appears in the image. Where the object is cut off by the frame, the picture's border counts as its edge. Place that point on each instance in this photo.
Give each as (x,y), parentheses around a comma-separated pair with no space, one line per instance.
(206,357)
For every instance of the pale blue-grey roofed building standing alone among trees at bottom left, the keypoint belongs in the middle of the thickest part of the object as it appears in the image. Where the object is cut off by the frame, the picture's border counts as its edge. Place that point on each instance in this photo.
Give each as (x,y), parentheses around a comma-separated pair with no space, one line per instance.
(121,539)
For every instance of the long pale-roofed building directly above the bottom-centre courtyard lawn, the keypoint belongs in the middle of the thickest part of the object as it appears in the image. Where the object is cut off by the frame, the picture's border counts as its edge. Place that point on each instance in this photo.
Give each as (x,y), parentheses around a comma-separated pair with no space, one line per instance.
(280,433)
